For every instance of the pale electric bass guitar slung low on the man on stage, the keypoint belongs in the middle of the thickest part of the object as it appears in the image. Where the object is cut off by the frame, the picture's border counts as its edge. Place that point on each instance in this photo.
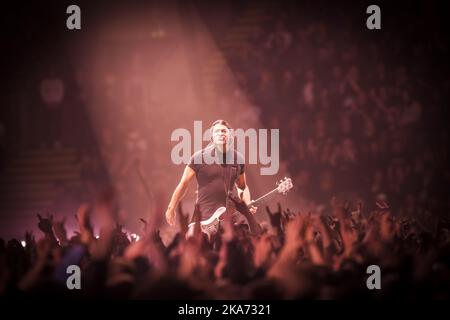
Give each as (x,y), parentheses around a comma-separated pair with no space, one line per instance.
(211,225)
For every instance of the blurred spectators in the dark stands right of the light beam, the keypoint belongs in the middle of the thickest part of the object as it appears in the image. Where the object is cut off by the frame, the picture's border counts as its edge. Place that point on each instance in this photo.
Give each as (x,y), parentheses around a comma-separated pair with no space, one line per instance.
(359,112)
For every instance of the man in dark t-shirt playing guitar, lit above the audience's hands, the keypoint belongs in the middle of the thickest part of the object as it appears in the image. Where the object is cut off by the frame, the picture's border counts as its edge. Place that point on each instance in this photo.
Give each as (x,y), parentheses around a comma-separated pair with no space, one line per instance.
(214,180)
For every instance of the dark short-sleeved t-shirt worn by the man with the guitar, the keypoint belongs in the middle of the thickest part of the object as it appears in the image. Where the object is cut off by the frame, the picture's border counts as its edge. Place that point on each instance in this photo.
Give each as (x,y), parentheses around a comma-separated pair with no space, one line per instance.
(216,179)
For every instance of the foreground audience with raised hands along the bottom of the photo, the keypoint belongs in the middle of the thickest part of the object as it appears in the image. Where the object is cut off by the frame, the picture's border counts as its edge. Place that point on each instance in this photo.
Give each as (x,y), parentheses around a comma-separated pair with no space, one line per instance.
(298,255)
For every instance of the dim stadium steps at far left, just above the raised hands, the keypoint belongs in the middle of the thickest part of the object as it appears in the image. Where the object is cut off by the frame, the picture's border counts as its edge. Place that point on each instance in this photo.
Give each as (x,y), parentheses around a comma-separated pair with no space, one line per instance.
(29,180)
